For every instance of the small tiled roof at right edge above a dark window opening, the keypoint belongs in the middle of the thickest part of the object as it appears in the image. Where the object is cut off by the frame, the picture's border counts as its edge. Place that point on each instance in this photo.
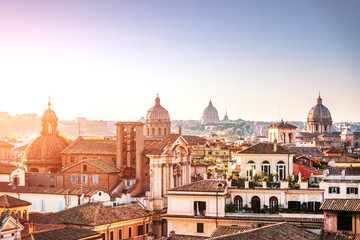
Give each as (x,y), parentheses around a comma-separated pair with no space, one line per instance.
(351,205)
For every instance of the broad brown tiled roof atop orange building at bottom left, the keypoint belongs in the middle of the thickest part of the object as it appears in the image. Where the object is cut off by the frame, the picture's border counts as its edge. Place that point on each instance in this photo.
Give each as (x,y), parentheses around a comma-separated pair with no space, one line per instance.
(95,214)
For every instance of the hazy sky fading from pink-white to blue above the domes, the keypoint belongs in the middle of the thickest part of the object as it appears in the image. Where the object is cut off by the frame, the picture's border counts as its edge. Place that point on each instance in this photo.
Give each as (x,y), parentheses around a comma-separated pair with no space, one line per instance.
(262,60)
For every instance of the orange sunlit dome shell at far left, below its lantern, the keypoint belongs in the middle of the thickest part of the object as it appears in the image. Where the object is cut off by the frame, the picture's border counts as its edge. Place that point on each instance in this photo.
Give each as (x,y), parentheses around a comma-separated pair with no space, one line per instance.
(46,147)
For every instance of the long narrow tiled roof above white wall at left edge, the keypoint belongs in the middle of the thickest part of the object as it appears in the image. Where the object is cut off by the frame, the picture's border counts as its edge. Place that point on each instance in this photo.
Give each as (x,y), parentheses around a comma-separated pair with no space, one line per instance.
(50,190)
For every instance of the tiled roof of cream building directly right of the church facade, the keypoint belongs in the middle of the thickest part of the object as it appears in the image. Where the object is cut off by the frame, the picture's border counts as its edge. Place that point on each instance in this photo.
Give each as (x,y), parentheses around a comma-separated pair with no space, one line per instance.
(208,185)
